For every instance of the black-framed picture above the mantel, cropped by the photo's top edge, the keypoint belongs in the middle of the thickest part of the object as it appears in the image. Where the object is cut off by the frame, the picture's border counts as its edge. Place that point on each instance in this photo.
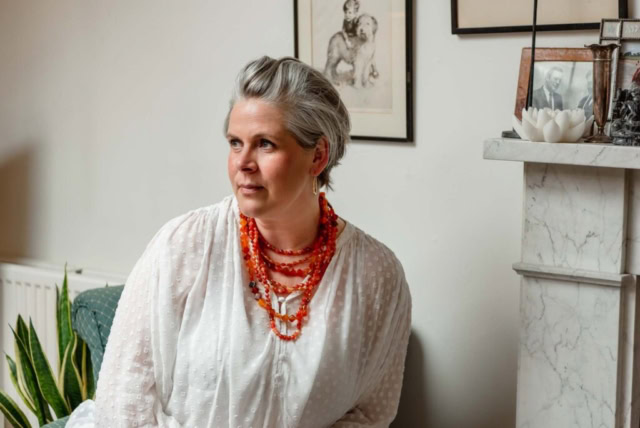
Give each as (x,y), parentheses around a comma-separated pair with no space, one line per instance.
(502,16)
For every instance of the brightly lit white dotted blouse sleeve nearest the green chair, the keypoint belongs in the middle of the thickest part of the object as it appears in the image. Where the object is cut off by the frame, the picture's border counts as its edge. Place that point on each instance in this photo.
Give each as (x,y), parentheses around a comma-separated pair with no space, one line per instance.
(135,377)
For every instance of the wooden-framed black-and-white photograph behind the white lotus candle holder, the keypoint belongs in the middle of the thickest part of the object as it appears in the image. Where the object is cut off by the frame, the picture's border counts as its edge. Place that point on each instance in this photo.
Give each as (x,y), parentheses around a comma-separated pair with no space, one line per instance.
(563,79)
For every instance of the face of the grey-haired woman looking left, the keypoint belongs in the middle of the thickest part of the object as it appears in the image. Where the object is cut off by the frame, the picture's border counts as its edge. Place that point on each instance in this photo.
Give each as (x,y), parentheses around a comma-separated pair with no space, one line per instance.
(269,172)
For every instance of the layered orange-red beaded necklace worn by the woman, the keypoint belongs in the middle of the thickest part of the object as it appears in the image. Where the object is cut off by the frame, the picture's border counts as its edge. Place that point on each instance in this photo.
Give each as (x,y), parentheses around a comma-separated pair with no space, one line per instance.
(259,265)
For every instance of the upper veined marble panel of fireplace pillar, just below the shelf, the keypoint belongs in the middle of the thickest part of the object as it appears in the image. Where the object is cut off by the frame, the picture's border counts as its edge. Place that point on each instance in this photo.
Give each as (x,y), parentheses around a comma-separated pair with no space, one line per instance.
(574,217)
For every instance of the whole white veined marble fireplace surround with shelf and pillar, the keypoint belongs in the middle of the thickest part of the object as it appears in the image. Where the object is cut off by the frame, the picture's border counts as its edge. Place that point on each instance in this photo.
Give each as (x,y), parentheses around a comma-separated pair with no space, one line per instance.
(579,359)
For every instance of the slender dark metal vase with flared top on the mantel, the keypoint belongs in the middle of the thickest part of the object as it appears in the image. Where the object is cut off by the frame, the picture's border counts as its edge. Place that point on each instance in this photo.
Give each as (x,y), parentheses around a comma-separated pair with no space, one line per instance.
(601,89)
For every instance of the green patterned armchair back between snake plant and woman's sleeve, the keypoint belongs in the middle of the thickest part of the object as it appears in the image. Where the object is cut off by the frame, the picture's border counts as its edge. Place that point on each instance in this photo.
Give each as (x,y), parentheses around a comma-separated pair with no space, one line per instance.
(92,314)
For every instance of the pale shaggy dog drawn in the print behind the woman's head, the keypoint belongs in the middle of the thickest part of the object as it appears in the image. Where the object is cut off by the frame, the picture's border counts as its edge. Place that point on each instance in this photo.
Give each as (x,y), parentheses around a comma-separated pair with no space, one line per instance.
(361,53)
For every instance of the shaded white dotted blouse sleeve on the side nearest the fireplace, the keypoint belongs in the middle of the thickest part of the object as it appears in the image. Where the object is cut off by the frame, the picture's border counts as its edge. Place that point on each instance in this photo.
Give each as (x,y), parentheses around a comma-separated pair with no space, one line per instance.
(378,404)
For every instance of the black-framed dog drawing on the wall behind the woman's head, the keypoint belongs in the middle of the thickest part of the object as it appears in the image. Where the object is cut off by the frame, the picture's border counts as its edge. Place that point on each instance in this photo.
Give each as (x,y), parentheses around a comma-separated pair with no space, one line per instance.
(364,47)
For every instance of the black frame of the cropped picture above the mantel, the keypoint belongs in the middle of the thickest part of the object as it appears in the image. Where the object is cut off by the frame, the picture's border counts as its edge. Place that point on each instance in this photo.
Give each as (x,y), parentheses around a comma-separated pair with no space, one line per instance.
(623,12)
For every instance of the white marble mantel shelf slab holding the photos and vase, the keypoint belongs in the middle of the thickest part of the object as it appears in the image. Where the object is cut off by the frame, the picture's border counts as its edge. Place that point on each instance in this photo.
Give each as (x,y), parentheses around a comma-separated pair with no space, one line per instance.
(604,155)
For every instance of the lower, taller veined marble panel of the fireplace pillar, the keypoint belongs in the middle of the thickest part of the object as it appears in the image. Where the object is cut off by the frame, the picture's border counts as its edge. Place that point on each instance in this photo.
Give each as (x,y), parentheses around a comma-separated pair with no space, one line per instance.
(568,360)
